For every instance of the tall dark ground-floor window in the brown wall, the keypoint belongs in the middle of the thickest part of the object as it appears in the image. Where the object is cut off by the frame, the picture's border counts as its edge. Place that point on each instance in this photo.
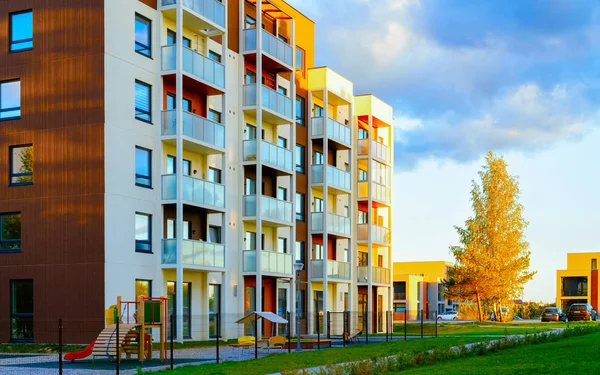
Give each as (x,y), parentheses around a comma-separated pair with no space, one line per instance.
(21,310)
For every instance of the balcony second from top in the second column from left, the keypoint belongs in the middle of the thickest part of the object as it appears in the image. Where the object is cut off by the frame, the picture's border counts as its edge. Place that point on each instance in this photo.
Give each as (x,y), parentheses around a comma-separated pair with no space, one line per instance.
(278,105)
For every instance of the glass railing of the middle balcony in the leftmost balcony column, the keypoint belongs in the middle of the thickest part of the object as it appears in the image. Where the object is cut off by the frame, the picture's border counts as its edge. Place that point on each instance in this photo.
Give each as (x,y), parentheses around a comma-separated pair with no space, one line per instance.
(196,127)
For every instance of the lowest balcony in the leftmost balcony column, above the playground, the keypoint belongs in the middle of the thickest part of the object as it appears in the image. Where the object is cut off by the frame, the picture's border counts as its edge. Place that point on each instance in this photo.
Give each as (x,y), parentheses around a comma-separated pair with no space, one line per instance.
(195,253)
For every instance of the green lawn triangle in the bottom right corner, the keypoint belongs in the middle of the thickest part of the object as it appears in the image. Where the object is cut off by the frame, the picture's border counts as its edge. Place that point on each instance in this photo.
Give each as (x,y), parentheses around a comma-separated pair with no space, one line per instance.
(574,355)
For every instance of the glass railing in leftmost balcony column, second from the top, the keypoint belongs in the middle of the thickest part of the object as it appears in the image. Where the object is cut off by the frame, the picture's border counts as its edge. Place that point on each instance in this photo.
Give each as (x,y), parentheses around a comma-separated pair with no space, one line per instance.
(195,64)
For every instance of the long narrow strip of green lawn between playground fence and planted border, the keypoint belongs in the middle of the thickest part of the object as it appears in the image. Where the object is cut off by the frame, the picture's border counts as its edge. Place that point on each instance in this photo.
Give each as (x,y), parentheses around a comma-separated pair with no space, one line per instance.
(293,361)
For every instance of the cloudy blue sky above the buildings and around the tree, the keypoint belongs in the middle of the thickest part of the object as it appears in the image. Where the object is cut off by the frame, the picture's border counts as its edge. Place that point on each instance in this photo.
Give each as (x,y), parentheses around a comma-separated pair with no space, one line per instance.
(521,78)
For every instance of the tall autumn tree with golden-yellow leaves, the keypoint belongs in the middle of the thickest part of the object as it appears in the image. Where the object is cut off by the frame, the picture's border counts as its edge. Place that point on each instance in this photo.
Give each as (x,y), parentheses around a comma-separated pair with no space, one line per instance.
(492,260)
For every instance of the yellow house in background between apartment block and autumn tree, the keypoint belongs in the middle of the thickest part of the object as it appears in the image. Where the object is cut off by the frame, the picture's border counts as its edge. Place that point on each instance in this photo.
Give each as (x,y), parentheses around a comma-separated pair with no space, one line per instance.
(418,286)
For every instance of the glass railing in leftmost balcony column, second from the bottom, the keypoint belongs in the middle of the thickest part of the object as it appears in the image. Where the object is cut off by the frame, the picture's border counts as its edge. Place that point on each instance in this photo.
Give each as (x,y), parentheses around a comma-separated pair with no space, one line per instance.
(194,190)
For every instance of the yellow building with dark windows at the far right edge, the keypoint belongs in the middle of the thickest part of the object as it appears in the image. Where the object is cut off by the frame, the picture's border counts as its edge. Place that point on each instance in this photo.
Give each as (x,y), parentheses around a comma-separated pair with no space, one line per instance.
(579,282)
